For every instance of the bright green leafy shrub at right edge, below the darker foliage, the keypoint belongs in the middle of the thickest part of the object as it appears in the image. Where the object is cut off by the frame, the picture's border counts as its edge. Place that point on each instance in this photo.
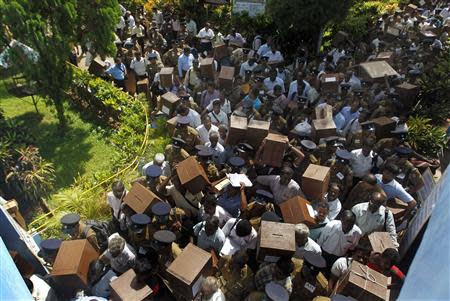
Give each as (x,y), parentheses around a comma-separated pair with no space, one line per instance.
(426,138)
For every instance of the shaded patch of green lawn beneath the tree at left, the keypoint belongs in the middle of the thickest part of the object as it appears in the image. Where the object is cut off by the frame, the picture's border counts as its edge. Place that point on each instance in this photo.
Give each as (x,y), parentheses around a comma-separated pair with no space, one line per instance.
(68,153)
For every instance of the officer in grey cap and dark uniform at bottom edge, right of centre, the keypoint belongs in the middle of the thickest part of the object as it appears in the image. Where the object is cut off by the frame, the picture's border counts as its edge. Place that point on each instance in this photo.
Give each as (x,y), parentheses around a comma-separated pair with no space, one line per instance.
(309,283)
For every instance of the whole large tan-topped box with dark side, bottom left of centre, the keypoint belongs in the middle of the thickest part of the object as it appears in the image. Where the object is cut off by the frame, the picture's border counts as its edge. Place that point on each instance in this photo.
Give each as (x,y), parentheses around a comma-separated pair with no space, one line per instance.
(187,271)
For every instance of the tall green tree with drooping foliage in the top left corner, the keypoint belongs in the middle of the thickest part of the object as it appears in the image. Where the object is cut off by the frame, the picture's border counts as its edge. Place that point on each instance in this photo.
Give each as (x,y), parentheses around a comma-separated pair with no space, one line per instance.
(51,28)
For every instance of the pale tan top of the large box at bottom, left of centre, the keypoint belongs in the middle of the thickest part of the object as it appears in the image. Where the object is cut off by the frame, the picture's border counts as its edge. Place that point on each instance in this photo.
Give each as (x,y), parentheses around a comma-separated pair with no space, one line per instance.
(188,265)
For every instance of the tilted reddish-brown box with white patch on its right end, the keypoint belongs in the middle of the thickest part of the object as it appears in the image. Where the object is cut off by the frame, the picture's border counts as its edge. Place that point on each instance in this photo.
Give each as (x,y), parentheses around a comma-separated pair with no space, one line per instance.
(298,210)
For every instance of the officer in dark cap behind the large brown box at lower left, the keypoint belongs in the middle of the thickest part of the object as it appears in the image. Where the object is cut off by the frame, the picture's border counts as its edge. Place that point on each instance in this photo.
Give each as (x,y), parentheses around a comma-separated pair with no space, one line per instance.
(76,229)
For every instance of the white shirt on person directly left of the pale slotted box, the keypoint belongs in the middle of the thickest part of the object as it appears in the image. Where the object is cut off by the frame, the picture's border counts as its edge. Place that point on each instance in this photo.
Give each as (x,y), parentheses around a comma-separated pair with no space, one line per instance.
(233,242)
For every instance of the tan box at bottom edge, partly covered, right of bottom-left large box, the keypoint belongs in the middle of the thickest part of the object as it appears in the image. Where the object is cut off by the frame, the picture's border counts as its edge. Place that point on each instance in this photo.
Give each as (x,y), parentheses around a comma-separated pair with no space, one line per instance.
(127,288)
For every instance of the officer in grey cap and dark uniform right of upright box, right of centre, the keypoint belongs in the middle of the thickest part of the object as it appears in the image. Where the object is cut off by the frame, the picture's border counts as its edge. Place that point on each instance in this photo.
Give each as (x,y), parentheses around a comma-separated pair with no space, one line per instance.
(341,172)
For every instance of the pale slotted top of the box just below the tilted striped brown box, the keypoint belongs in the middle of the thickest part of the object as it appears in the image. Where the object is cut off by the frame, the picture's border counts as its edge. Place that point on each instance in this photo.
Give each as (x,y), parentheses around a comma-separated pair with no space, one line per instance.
(277,236)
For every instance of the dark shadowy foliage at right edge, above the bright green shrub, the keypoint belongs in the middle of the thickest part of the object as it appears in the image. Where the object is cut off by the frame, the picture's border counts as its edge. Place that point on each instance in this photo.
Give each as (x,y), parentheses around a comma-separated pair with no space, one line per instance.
(434,99)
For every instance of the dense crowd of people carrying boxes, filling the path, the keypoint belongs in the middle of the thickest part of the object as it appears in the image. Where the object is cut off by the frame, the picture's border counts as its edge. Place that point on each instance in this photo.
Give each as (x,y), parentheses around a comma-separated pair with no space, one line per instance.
(368,169)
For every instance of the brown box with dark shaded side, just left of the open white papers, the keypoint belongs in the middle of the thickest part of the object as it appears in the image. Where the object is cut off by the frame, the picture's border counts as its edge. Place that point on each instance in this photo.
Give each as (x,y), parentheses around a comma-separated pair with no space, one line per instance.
(192,175)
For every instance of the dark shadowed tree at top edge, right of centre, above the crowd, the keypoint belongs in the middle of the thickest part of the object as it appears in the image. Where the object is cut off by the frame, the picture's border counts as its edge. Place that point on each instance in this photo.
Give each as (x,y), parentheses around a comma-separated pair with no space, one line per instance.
(306,18)
